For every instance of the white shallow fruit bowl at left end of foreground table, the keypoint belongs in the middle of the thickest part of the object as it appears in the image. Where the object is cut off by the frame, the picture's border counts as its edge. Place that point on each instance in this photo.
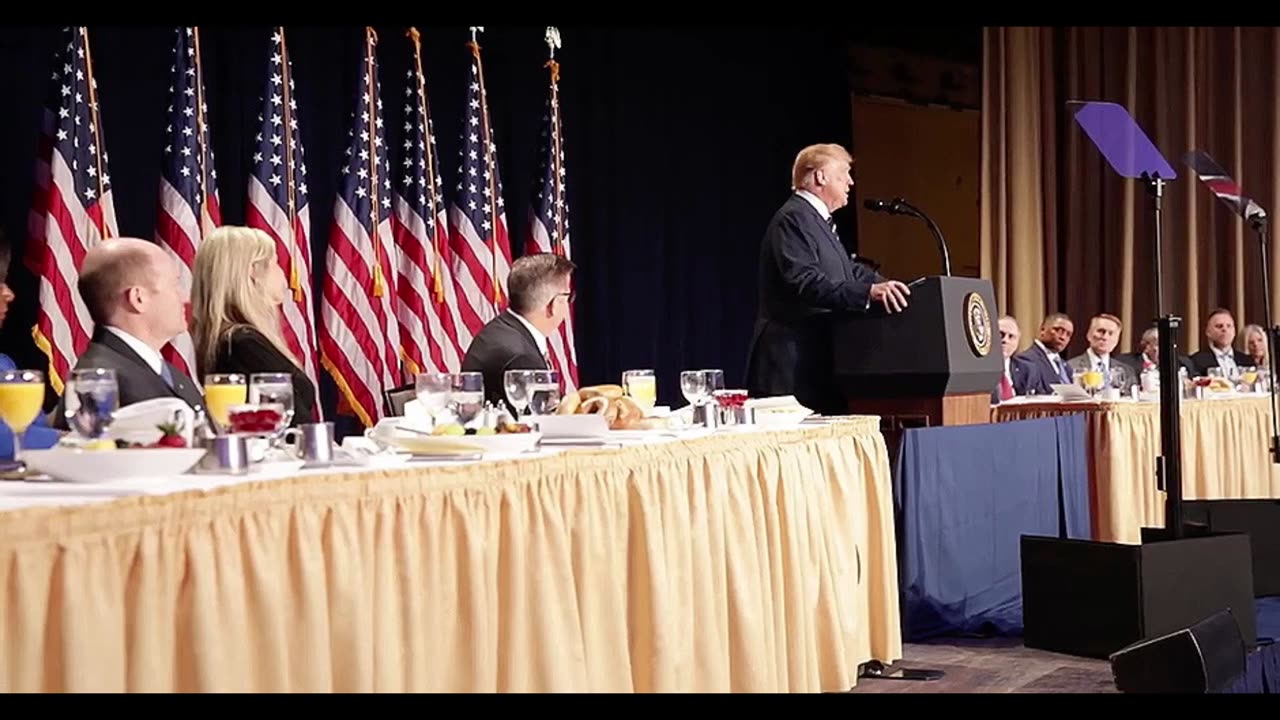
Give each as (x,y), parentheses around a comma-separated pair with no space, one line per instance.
(76,466)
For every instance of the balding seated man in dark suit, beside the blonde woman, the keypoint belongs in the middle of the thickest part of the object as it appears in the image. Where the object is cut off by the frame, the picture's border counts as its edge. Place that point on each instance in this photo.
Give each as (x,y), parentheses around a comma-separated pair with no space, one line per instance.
(134,294)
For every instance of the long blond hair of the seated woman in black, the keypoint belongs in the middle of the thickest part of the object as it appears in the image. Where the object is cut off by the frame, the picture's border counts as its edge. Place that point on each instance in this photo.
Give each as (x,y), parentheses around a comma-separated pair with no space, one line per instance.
(223,297)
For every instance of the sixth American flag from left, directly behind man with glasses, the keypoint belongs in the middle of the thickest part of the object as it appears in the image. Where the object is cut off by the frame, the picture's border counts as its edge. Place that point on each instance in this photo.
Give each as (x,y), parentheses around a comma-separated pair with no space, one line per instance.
(478,222)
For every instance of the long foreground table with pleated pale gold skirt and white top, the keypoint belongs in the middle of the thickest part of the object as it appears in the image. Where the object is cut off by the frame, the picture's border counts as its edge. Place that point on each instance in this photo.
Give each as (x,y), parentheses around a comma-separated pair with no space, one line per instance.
(729,562)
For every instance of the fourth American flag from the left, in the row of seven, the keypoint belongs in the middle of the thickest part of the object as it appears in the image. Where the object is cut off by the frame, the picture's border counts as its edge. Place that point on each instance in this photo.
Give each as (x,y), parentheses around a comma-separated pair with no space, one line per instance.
(360,338)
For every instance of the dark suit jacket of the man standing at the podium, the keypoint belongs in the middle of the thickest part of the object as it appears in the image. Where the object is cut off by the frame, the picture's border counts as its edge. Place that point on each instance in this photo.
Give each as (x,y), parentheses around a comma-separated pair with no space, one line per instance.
(807,280)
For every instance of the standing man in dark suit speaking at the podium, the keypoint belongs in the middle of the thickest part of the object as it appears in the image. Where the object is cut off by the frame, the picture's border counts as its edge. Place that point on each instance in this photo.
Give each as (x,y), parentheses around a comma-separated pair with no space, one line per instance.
(807,280)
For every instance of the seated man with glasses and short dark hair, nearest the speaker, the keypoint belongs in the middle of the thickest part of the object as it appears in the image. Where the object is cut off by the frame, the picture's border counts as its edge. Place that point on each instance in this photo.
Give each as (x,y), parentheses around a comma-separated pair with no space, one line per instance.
(540,288)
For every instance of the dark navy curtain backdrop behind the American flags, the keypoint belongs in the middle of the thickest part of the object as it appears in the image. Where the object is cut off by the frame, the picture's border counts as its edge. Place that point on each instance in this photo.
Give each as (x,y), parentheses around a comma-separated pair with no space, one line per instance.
(679,149)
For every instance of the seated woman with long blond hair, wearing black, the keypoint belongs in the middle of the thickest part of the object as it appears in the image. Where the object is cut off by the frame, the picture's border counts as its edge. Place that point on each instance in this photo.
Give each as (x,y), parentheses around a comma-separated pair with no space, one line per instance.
(236,295)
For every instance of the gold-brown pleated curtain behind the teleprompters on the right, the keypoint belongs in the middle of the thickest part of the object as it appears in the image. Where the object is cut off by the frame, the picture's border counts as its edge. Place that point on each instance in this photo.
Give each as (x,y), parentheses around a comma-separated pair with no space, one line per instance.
(1062,233)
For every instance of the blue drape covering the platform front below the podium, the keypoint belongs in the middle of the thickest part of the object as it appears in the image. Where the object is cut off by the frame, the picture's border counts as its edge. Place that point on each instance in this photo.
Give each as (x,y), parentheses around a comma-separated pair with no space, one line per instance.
(964,496)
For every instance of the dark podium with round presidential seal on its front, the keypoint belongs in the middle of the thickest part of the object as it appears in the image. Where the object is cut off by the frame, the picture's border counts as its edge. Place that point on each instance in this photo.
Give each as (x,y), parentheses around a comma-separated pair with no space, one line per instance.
(936,363)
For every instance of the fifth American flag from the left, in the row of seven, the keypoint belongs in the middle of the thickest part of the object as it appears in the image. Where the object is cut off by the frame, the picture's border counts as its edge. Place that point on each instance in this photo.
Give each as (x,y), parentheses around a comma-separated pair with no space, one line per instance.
(432,329)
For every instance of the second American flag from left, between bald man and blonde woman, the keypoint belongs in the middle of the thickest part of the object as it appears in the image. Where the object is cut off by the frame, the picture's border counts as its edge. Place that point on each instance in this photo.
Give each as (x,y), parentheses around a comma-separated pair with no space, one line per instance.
(189,184)
